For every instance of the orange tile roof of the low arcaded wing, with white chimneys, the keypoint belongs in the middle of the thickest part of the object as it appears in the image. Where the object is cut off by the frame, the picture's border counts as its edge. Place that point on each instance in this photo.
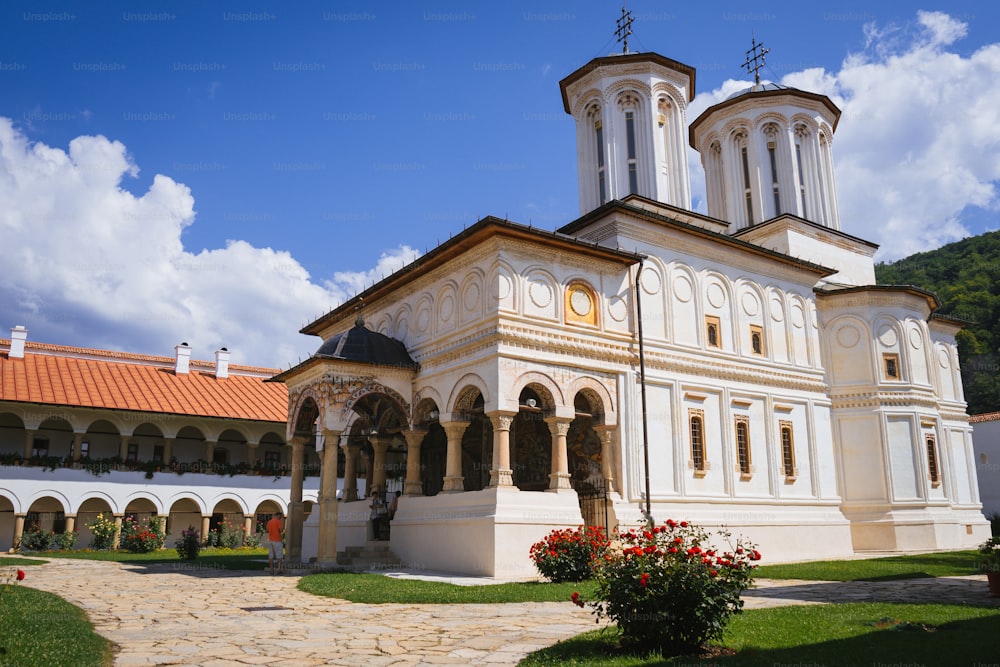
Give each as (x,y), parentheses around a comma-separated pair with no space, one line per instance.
(81,377)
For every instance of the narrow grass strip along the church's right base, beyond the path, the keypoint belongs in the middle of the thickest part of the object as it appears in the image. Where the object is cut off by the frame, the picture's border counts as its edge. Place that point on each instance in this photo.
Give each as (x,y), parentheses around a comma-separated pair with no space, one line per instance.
(946,564)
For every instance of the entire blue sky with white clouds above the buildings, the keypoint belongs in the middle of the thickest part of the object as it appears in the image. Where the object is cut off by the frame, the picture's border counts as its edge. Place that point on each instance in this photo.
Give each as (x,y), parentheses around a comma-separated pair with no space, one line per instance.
(251,164)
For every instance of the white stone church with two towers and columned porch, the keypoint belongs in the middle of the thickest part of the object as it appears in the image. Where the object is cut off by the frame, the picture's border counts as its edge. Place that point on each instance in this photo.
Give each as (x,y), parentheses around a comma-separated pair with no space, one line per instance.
(785,394)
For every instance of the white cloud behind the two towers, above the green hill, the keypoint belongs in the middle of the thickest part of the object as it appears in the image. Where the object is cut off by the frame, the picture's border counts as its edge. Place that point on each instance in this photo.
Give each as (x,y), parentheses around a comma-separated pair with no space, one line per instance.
(918,142)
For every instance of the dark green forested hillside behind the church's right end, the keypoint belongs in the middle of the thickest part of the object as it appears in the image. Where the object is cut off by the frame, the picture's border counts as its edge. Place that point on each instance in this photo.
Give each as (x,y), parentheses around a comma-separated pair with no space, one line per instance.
(966,278)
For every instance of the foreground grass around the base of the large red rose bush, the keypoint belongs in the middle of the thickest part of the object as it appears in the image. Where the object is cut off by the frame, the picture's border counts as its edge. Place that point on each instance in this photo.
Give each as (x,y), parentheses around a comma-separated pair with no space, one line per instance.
(862,634)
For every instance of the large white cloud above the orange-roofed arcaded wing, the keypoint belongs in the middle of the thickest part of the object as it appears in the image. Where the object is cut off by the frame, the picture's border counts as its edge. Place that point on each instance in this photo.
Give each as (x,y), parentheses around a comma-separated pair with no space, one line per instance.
(87,262)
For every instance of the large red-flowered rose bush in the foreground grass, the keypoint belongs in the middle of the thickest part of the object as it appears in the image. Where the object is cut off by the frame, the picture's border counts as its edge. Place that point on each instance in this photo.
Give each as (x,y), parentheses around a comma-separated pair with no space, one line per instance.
(669,589)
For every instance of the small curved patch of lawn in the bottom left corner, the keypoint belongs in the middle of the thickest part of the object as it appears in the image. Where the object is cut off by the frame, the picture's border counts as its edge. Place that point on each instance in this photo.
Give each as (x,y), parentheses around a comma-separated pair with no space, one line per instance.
(39,629)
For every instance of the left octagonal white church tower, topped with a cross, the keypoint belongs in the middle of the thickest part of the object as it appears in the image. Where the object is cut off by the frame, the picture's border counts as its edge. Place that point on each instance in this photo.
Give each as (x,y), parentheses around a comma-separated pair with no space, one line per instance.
(631,122)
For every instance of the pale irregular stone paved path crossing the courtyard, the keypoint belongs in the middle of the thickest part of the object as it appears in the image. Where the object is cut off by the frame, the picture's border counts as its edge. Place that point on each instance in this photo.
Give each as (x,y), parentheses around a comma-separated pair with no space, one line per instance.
(182,615)
